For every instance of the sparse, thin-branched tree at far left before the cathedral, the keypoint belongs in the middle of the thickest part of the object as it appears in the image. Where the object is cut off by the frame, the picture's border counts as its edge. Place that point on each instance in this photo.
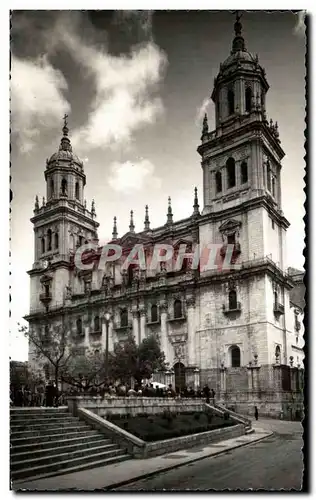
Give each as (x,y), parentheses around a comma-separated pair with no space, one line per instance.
(52,345)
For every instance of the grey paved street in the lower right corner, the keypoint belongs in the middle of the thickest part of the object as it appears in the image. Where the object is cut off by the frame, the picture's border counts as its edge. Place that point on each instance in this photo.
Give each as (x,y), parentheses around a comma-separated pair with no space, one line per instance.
(274,463)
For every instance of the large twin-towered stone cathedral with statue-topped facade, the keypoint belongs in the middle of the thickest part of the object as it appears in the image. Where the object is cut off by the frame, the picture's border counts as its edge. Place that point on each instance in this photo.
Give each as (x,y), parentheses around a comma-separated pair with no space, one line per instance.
(223,327)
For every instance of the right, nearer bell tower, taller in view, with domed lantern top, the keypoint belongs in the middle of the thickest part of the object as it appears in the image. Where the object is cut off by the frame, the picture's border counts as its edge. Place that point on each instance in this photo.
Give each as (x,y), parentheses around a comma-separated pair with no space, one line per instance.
(241,157)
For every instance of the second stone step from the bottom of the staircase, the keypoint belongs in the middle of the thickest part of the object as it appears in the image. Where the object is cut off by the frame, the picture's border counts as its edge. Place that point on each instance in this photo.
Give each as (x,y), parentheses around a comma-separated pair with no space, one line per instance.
(61,466)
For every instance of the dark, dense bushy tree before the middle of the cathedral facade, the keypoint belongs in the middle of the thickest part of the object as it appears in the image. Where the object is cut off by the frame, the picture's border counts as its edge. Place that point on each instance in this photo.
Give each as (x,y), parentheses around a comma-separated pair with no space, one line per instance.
(129,360)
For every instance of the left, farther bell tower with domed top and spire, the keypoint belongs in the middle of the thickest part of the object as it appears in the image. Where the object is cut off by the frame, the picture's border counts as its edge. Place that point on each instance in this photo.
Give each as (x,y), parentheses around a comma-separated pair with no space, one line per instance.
(61,224)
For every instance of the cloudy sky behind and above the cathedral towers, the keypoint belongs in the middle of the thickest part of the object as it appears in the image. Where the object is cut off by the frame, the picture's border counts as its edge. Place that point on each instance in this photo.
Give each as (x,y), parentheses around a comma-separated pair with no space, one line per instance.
(135,86)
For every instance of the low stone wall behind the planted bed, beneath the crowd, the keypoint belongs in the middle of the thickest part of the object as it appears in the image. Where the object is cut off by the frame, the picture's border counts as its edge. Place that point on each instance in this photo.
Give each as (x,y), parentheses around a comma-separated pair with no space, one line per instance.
(132,405)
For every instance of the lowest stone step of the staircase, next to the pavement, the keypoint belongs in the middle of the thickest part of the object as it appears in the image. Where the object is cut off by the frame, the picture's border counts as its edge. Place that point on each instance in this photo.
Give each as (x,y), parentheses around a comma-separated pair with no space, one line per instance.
(32,475)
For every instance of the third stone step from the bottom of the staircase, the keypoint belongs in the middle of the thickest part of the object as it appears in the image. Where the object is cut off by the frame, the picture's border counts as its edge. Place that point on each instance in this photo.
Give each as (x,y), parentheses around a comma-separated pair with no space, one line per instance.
(55,456)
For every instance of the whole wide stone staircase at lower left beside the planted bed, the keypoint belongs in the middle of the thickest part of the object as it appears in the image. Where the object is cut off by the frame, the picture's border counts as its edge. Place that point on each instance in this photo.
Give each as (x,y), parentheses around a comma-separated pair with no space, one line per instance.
(47,442)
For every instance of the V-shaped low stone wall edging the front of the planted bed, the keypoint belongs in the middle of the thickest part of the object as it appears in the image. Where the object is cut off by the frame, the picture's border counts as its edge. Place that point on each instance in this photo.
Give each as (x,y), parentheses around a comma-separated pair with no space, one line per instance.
(141,449)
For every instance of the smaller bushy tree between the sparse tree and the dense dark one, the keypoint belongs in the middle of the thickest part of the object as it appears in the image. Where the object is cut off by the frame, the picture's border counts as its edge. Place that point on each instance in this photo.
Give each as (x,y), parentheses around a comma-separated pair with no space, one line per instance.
(85,370)
